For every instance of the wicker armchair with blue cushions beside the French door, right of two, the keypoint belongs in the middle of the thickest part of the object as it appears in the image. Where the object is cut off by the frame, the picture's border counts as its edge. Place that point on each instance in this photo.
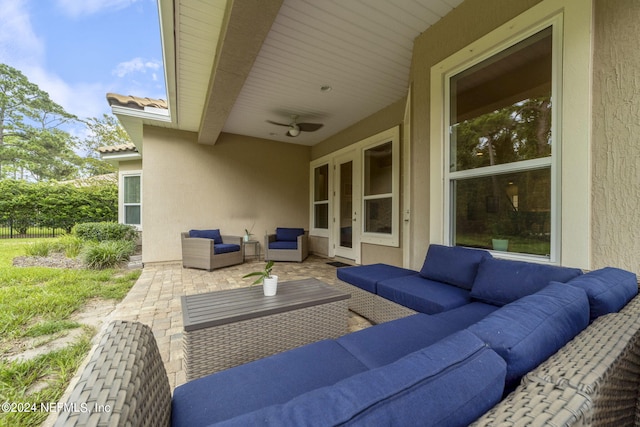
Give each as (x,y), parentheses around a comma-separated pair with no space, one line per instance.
(287,244)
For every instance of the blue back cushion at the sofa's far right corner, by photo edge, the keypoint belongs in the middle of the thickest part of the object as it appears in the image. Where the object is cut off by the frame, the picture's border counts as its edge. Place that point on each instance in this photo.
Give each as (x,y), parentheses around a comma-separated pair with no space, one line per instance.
(608,289)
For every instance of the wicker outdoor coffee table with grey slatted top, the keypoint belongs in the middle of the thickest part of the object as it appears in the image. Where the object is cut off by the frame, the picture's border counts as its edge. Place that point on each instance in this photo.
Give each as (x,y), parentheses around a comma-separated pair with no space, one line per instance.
(227,328)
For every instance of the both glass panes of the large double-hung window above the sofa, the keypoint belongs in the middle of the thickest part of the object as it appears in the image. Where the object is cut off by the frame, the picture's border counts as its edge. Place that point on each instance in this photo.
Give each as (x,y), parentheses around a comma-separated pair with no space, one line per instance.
(501,148)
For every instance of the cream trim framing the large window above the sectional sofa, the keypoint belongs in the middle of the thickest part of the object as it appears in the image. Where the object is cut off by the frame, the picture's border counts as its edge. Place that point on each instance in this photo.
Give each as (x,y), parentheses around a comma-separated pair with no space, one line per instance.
(571,229)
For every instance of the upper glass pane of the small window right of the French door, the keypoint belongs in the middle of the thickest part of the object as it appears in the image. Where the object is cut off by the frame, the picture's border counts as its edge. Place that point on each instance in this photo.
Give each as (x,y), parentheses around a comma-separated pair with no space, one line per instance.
(378,170)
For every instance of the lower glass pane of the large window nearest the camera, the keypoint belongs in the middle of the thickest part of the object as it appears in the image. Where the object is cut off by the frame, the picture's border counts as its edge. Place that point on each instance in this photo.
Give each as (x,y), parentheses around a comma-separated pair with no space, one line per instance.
(515,207)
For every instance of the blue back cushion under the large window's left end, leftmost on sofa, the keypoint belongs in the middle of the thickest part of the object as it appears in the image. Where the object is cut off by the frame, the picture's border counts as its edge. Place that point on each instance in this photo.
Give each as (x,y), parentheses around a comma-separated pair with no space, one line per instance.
(454,265)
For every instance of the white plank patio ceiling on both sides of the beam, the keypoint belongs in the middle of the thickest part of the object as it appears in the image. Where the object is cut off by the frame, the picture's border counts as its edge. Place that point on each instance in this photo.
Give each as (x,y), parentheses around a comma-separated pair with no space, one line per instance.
(362,49)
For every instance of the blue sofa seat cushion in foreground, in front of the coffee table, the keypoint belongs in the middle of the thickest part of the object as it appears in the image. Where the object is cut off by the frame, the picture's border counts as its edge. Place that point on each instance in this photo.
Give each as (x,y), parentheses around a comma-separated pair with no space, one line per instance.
(272,380)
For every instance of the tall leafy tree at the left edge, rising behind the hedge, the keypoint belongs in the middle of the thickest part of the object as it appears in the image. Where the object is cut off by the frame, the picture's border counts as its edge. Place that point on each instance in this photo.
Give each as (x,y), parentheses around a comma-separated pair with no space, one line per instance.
(32,142)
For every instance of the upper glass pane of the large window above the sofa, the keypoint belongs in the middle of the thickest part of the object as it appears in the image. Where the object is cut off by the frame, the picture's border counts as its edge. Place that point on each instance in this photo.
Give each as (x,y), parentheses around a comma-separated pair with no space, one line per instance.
(500,109)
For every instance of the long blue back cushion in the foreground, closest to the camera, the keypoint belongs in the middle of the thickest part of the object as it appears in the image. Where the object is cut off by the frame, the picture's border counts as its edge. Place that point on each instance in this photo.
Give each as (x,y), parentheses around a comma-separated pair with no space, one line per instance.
(450,383)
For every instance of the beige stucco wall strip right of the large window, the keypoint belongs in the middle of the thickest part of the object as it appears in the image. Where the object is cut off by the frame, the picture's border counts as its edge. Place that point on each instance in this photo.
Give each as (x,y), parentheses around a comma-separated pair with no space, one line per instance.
(616,135)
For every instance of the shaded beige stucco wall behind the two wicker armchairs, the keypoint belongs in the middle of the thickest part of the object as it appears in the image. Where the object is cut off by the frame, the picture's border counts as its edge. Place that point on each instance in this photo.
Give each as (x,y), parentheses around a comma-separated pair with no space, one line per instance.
(238,183)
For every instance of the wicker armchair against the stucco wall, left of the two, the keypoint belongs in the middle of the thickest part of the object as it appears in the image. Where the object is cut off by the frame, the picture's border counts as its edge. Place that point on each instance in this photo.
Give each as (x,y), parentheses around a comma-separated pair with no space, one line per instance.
(198,252)
